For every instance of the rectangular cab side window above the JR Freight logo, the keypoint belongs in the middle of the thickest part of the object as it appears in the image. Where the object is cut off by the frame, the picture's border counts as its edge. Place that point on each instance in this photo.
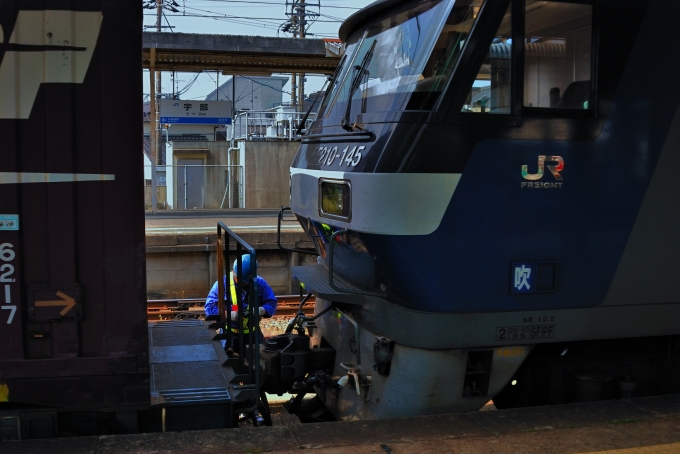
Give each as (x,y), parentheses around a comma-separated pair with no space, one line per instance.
(557,55)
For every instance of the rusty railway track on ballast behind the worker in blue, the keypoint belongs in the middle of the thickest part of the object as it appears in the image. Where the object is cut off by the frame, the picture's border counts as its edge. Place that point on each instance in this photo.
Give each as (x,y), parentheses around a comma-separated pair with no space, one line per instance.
(170,309)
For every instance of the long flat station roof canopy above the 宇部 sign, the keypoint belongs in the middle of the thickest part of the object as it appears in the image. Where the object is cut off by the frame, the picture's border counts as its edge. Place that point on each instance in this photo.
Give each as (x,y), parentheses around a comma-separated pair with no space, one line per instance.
(241,55)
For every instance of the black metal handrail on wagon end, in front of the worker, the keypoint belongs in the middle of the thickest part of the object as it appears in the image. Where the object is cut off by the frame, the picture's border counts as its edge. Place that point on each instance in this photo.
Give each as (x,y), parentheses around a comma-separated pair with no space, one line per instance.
(253,353)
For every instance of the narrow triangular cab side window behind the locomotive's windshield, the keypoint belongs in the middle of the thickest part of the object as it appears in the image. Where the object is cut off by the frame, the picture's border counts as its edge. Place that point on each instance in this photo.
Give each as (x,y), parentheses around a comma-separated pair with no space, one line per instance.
(491,90)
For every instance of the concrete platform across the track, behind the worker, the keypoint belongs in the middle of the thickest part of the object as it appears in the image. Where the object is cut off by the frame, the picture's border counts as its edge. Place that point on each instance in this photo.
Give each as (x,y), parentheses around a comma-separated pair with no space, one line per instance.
(180,250)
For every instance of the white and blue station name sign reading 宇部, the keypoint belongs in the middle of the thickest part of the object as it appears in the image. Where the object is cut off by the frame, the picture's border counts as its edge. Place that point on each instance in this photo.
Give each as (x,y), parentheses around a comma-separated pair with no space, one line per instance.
(177,111)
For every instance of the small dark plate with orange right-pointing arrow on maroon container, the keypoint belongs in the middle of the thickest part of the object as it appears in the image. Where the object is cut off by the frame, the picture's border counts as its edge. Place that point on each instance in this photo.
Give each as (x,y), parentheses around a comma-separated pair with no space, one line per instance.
(50,302)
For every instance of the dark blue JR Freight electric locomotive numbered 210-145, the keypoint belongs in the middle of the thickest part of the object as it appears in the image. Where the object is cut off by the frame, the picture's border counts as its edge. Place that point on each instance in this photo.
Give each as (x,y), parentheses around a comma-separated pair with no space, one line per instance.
(491,187)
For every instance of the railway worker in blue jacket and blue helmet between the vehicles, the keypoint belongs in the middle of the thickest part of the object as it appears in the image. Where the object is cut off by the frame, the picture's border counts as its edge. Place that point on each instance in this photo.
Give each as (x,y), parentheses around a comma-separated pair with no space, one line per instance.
(266,299)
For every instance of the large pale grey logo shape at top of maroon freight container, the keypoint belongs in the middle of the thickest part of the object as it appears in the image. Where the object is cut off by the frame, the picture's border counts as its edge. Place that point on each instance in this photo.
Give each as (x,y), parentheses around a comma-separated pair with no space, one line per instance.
(45,47)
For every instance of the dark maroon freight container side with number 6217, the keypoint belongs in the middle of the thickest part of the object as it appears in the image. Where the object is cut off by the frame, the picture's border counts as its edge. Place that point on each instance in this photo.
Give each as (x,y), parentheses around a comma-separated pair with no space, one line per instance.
(73,329)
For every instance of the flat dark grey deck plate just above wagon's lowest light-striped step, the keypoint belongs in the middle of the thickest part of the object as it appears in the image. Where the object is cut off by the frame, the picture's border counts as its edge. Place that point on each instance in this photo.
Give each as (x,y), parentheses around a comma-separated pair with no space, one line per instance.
(188,375)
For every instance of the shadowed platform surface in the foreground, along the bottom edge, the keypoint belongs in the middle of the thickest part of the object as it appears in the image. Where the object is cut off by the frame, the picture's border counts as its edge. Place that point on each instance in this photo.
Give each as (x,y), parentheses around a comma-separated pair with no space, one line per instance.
(641,425)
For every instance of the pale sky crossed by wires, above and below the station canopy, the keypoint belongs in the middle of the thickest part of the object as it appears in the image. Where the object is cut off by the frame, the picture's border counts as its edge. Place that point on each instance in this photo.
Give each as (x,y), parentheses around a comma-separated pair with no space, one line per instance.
(241,17)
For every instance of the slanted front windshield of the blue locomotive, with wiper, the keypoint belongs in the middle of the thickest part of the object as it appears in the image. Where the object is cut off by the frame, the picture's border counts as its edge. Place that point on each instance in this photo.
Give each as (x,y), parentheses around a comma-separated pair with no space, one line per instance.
(403,61)
